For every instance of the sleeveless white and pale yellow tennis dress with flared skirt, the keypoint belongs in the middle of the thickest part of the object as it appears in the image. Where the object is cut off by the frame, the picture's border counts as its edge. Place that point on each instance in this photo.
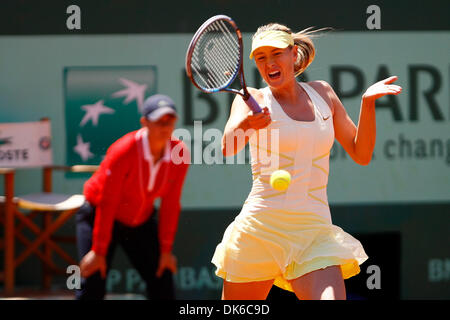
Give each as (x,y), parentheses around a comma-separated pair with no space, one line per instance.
(284,235)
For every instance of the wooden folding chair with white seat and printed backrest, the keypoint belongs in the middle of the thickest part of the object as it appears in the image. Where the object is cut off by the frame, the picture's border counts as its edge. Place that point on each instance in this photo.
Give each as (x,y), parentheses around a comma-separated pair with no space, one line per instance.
(55,210)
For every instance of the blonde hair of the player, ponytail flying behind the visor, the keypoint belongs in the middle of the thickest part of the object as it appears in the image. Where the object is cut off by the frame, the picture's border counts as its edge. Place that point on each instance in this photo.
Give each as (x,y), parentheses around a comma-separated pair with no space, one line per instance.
(303,40)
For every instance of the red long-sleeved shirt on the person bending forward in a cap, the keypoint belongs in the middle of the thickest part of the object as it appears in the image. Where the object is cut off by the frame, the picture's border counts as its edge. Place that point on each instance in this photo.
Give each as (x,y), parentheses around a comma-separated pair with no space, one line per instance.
(120,190)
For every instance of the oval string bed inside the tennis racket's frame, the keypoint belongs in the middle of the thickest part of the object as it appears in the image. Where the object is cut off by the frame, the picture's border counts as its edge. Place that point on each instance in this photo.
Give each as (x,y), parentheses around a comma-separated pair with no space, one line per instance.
(216,56)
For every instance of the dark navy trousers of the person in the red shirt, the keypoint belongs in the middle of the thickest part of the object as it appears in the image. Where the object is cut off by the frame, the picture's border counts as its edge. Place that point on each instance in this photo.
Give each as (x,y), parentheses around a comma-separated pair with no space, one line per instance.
(140,244)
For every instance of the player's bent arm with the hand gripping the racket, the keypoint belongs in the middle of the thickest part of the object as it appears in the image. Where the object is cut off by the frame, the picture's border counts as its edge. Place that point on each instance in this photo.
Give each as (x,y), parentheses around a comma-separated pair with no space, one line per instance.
(242,123)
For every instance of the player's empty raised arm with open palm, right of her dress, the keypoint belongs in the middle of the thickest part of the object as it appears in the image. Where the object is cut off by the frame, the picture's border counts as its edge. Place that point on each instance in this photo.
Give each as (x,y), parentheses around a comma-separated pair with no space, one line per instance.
(359,141)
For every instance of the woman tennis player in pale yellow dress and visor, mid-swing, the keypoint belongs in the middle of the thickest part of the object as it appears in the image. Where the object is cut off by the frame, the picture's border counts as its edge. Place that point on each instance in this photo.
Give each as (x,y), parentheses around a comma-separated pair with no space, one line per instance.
(287,238)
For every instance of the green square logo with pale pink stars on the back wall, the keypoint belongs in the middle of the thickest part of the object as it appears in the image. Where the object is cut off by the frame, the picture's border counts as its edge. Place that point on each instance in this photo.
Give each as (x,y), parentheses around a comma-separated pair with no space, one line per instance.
(103,104)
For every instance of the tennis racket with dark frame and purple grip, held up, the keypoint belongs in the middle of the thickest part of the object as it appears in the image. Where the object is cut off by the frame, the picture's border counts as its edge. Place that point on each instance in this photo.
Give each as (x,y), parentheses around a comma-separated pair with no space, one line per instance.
(214,58)
